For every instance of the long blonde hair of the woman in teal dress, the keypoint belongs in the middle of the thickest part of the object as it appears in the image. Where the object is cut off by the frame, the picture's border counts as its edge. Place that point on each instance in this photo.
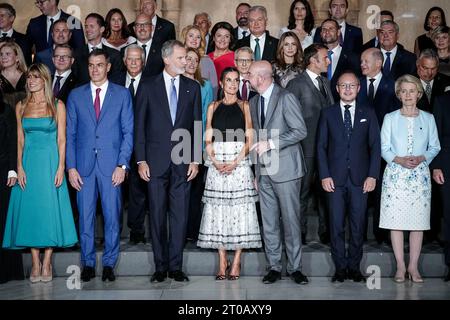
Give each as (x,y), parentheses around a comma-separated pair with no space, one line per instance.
(44,73)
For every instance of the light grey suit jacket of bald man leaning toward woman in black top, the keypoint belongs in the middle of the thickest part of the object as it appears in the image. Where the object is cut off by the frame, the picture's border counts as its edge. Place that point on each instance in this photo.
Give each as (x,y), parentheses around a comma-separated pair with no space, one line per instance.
(284,124)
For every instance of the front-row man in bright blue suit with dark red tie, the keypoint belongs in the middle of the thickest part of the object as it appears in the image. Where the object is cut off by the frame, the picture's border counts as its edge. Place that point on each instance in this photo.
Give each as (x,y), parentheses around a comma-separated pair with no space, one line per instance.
(99,145)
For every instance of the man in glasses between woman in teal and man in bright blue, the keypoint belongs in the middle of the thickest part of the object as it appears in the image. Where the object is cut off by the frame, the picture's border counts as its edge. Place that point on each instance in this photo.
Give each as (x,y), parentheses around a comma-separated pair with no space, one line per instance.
(63,78)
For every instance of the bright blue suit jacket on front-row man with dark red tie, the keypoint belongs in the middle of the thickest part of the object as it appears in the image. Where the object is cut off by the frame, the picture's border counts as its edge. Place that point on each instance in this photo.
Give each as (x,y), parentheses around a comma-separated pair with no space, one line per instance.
(108,140)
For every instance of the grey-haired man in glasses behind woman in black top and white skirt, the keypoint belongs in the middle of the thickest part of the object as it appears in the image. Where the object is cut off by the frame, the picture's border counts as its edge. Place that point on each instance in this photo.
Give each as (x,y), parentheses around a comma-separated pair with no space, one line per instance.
(243,59)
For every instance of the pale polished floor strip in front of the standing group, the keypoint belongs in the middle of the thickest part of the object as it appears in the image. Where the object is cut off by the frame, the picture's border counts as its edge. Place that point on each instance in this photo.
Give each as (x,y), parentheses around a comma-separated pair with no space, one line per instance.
(206,288)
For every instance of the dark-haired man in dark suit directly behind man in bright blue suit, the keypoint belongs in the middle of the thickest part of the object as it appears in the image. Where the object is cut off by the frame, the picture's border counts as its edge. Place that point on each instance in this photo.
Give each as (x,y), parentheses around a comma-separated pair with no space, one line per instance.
(94,27)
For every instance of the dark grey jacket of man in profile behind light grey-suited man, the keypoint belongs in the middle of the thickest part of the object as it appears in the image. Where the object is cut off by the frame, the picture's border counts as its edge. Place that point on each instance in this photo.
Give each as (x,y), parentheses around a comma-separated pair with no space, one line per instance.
(311,101)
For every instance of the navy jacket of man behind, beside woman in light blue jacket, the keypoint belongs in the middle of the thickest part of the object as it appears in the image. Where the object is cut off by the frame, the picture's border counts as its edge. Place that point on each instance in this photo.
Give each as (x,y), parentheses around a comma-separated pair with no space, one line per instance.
(385,99)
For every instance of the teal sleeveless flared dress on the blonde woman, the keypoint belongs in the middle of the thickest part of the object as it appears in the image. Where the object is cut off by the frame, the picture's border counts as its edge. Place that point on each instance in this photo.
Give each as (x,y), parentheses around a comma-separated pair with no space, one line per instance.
(40,216)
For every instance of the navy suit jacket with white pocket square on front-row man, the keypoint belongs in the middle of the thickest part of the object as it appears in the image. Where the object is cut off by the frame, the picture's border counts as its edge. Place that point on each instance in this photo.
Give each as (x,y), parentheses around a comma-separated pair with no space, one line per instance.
(337,158)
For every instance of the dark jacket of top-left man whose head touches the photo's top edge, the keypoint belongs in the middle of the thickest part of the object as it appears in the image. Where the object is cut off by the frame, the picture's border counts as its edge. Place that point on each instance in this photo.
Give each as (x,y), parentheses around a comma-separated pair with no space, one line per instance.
(37,28)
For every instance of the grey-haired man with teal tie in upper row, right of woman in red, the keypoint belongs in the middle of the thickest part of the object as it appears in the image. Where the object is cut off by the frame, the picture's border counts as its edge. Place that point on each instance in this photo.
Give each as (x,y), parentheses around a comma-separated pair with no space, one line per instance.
(264,46)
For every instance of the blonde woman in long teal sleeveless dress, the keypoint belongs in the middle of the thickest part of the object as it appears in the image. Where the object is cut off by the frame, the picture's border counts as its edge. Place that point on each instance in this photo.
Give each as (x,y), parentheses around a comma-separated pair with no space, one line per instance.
(39,213)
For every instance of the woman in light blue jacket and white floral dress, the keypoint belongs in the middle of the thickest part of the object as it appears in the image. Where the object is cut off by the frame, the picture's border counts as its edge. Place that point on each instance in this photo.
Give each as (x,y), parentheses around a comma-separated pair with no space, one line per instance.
(409,142)
